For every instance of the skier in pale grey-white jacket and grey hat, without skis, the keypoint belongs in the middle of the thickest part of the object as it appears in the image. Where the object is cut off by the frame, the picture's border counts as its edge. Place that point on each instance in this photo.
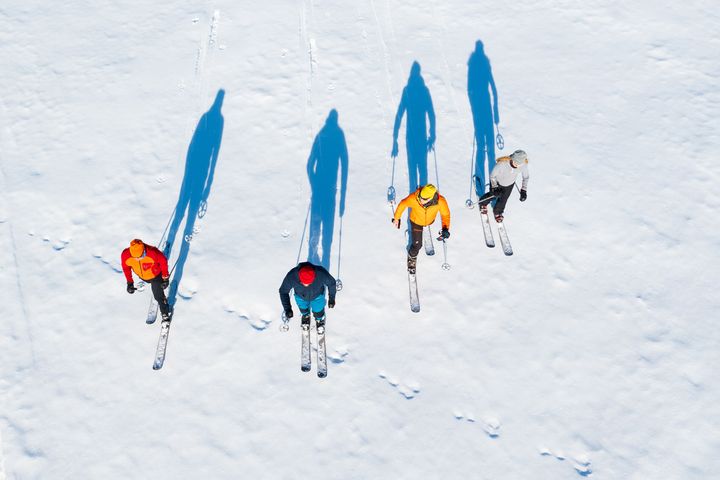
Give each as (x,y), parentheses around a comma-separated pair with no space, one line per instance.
(502,181)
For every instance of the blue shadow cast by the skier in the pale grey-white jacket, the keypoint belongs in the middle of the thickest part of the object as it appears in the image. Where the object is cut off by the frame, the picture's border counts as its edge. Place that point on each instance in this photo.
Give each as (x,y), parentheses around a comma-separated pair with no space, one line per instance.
(484,108)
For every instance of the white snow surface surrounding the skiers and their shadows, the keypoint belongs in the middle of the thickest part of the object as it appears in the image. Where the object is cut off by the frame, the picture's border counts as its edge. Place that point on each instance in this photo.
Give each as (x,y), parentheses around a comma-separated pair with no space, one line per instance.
(592,351)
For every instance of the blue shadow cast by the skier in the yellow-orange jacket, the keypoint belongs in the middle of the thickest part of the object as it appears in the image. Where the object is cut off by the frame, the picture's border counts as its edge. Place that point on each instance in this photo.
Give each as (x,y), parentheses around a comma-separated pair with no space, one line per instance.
(416,103)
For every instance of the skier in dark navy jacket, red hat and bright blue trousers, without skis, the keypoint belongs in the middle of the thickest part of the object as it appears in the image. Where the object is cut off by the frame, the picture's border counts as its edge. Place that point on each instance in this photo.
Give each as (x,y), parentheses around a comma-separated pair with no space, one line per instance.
(309,282)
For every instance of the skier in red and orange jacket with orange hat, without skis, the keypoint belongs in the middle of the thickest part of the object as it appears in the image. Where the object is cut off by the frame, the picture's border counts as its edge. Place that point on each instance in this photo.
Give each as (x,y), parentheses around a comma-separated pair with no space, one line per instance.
(150,265)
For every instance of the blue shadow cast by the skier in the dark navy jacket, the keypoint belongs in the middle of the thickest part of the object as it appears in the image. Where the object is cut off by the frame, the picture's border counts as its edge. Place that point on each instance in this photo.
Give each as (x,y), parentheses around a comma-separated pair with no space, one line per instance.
(328,155)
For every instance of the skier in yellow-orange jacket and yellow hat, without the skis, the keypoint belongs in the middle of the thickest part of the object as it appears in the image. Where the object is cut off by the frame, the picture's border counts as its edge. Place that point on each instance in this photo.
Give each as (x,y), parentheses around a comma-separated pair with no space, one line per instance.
(424,205)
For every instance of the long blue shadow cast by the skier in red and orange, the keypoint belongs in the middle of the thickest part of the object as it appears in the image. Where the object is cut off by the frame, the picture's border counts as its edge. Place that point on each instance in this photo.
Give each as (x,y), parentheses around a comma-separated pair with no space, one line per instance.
(200,165)
